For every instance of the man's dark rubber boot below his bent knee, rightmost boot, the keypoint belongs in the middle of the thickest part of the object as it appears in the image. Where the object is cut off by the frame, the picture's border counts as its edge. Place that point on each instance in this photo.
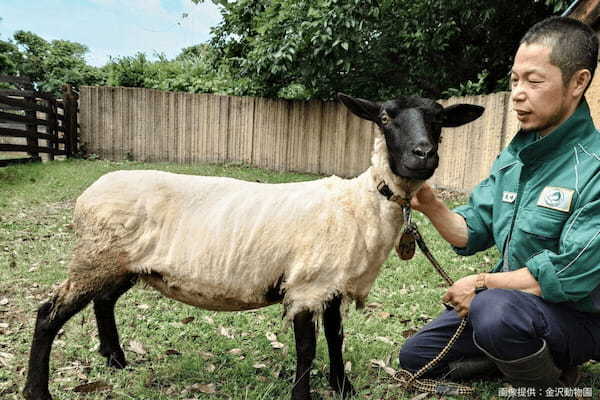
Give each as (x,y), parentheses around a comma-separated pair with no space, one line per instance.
(536,371)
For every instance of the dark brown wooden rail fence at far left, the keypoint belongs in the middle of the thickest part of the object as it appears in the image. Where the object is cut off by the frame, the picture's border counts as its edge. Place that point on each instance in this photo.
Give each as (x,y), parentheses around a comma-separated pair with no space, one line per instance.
(35,122)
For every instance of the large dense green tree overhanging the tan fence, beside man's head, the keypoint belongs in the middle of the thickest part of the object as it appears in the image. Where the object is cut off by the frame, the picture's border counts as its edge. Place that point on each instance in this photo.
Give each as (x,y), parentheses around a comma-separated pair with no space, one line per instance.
(373,48)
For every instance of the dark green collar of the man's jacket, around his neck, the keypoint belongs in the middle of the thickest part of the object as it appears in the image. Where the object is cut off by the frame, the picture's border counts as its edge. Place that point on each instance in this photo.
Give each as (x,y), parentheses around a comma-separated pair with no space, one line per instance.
(575,129)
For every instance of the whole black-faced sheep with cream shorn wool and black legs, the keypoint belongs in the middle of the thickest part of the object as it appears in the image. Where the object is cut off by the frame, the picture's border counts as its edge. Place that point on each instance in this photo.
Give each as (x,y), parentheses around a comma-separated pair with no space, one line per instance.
(225,244)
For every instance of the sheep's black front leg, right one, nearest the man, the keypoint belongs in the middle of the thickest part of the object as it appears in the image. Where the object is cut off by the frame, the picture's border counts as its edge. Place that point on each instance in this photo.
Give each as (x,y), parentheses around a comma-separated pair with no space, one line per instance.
(332,321)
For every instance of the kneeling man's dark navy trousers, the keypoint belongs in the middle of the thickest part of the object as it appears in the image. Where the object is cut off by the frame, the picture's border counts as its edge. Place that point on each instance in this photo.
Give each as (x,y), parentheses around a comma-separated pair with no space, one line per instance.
(508,324)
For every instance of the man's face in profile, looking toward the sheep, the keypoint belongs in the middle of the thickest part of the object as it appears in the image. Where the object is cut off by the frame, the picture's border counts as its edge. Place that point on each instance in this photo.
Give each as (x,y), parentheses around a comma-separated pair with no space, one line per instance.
(539,97)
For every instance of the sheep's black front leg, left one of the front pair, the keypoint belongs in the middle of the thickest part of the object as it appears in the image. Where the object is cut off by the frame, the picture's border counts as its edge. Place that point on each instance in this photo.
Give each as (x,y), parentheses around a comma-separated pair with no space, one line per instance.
(306,343)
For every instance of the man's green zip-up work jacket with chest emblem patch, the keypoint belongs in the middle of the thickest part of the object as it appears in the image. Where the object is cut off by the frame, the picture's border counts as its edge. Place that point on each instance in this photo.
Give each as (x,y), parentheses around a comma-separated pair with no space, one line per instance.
(541,207)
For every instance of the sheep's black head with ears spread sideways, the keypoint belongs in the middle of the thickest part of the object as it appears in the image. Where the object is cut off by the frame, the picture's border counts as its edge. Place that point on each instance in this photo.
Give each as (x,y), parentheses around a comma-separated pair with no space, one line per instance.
(412,127)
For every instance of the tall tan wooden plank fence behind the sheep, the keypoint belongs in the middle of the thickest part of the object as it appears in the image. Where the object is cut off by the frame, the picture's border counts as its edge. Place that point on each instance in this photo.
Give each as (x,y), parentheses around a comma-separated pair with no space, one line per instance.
(317,137)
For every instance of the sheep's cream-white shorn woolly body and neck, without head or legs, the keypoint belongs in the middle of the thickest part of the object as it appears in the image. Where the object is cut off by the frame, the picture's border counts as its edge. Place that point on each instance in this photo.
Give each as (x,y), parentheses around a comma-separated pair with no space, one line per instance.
(221,243)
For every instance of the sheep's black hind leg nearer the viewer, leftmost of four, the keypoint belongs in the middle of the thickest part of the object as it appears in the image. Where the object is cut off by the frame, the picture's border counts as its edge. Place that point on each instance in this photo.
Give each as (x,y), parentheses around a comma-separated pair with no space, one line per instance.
(51,316)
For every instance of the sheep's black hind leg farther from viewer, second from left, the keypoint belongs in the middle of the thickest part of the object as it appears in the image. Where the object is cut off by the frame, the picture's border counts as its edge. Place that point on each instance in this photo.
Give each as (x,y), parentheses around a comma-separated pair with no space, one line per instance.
(104,308)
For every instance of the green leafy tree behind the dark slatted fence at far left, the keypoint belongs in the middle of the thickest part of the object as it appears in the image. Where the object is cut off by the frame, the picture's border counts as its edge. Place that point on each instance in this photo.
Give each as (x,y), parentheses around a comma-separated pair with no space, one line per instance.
(49,64)
